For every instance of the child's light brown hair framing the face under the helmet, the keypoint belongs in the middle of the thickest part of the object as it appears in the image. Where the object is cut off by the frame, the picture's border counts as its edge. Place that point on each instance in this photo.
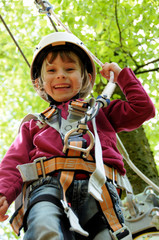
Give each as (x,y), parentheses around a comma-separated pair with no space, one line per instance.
(65,54)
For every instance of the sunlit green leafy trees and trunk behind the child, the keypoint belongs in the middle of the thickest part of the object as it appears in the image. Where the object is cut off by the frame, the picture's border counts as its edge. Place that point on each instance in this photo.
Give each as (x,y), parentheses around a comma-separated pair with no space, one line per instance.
(122,31)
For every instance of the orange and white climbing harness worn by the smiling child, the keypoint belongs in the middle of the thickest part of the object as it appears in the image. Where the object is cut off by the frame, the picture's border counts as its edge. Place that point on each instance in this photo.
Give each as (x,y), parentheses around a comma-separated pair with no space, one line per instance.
(77,158)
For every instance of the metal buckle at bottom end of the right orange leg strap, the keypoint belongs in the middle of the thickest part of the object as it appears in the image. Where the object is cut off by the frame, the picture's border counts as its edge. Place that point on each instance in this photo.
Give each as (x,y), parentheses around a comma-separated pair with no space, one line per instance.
(123,233)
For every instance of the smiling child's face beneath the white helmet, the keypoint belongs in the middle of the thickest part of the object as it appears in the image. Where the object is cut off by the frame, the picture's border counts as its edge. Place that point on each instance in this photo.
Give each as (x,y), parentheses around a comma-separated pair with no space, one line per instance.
(62,78)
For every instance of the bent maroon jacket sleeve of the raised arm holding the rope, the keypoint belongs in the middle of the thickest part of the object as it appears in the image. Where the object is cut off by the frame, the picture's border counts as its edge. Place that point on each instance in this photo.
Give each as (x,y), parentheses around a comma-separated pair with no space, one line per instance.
(131,114)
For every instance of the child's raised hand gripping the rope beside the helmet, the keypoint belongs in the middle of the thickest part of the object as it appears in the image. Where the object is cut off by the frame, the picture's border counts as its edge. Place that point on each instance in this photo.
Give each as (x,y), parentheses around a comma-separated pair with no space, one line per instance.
(107,67)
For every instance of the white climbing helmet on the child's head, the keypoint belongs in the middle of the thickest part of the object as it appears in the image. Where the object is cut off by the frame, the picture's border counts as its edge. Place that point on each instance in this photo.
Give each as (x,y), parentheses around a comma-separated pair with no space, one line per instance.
(60,40)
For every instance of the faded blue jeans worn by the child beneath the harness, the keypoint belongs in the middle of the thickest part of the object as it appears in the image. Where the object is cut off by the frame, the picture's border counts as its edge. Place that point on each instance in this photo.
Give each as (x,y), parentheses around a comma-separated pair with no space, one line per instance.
(47,221)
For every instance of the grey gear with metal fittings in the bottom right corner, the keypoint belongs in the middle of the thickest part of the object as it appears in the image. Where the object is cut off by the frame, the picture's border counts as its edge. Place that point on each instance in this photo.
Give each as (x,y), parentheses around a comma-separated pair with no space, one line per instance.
(141,212)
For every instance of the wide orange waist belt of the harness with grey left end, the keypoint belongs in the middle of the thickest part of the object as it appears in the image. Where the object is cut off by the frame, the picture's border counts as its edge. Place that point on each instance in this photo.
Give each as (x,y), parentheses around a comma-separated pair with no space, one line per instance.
(43,166)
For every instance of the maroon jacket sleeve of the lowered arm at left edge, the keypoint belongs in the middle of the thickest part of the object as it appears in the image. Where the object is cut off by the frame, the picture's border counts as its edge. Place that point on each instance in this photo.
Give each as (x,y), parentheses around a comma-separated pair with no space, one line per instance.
(18,153)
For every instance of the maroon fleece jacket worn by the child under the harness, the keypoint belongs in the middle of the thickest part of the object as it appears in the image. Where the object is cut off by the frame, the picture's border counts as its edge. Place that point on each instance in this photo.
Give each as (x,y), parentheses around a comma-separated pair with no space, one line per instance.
(33,142)
